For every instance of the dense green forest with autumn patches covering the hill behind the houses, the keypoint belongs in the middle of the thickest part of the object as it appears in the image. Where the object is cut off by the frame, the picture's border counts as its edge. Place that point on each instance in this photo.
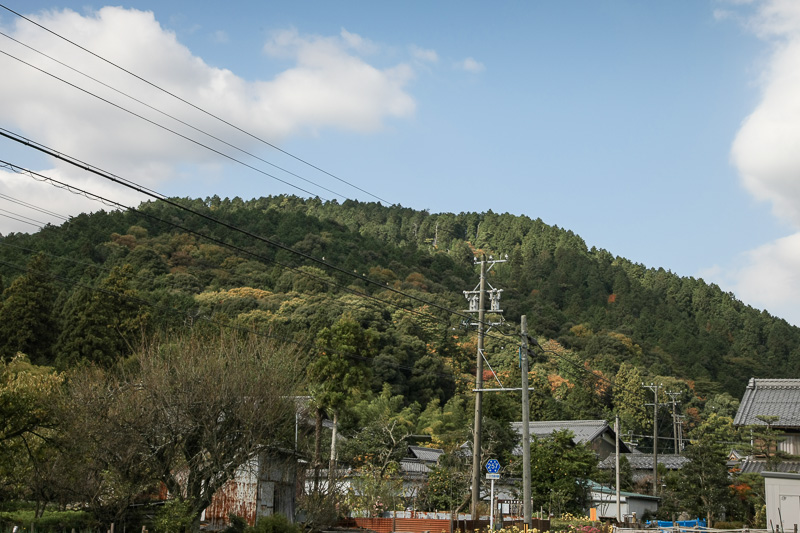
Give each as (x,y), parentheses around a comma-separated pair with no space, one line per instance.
(371,297)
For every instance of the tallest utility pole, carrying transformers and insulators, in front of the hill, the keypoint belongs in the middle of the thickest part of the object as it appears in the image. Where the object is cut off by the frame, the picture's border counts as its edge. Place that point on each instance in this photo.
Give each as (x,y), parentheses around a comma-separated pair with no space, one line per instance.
(477,303)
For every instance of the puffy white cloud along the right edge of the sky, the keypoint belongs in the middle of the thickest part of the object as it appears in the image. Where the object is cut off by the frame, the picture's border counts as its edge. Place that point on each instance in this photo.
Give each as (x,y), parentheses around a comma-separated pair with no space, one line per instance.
(766,152)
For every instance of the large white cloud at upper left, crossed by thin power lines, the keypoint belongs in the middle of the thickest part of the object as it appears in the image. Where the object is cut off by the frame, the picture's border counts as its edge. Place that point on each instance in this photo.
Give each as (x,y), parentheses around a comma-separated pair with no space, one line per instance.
(328,86)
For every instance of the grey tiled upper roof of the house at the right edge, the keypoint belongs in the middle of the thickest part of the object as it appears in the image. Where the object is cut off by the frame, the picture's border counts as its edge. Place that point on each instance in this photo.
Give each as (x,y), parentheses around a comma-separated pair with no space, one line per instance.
(770,397)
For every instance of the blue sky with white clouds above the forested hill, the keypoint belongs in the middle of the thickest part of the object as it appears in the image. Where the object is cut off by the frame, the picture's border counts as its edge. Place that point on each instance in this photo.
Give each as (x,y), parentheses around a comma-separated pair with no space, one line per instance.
(667,133)
